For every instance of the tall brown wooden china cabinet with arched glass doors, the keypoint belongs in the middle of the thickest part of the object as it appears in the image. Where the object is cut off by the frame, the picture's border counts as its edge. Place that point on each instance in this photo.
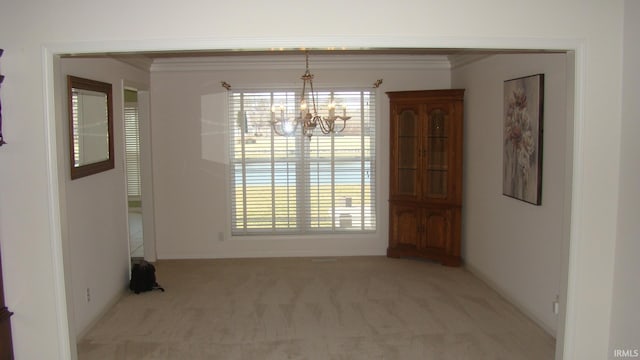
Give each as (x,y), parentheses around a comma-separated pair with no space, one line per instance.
(425,197)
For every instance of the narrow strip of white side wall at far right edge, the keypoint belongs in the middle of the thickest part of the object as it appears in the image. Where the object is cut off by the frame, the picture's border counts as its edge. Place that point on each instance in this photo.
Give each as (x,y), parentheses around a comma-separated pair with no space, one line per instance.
(625,318)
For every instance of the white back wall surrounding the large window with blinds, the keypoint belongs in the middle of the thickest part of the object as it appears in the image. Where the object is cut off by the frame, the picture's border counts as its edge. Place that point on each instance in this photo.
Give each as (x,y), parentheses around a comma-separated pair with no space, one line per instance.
(189,149)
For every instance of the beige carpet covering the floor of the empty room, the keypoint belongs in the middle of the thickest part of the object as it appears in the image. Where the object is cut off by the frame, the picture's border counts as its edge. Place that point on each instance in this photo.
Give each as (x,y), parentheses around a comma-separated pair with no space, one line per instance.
(301,308)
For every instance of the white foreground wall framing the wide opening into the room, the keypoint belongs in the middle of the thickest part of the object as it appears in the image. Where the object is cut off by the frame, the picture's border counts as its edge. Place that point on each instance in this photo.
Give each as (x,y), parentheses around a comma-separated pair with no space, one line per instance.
(31,30)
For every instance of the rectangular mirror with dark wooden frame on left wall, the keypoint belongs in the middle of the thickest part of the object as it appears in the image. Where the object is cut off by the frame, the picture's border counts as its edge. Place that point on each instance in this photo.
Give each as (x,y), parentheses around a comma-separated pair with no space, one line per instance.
(90,126)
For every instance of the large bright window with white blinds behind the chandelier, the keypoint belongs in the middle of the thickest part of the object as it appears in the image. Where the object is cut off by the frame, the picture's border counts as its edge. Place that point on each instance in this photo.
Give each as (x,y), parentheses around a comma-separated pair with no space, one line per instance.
(295,185)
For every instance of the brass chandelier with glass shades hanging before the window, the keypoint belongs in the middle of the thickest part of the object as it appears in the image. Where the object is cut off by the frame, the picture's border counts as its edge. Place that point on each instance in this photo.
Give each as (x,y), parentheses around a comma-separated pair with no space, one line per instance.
(308,118)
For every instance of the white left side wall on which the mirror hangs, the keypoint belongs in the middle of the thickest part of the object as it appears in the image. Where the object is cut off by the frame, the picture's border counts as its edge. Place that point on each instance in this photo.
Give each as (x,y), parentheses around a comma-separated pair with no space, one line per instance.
(95,231)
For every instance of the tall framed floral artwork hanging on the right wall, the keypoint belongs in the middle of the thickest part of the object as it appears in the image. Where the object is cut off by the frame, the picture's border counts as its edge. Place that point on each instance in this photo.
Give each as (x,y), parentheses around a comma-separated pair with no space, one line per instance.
(522,135)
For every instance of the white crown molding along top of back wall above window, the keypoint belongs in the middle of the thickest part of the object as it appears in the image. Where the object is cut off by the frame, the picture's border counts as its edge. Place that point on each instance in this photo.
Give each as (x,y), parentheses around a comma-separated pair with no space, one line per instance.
(288,62)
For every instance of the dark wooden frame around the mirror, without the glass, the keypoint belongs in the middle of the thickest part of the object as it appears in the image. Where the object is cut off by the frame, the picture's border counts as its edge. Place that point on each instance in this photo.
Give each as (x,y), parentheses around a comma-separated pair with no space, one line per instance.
(79,171)
